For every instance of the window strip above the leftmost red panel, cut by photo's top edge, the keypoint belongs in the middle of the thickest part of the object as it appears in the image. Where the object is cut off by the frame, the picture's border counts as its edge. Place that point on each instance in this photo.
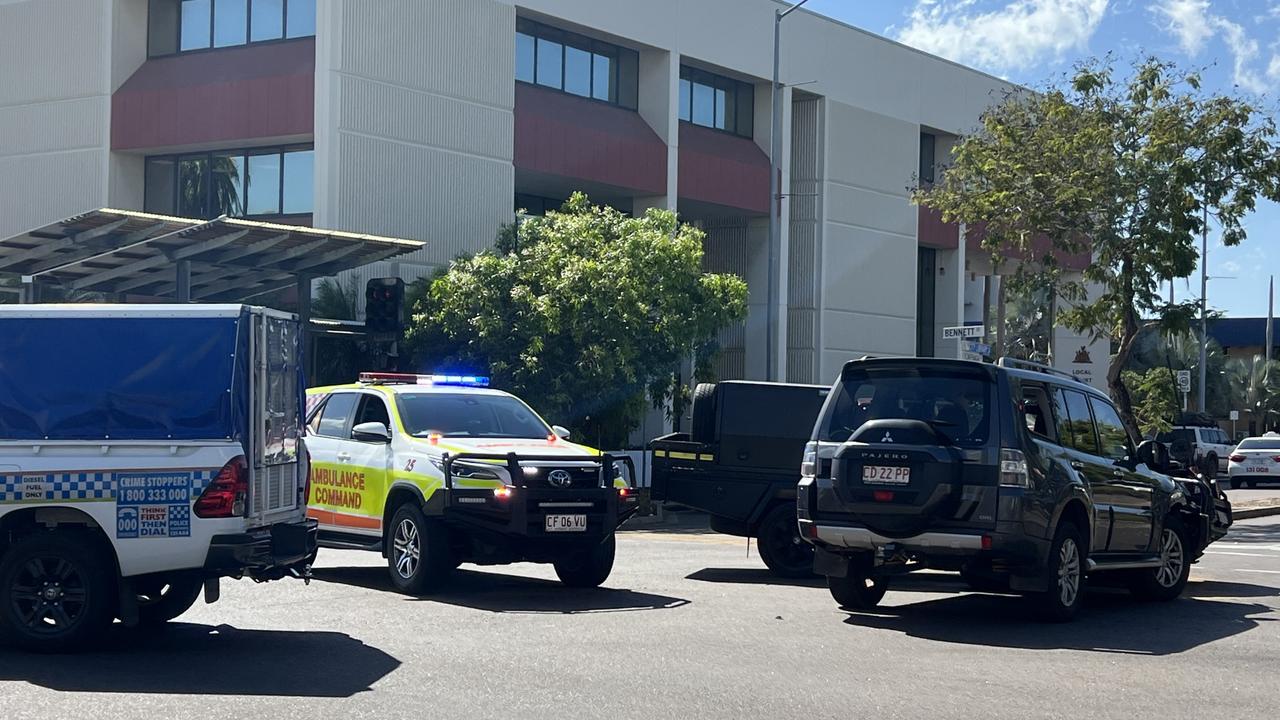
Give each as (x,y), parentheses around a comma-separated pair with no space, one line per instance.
(184,26)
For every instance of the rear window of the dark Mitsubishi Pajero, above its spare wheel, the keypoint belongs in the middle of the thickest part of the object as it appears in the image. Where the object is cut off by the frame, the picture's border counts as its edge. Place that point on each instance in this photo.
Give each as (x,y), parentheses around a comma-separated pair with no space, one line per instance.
(954,402)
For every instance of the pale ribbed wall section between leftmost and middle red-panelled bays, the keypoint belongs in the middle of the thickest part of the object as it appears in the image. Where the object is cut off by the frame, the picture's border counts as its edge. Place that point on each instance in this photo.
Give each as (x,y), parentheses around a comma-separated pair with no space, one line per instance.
(414,129)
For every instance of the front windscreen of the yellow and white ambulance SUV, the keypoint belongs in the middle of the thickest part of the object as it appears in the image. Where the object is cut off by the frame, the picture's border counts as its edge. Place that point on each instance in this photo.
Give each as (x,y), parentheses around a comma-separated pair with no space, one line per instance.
(469,416)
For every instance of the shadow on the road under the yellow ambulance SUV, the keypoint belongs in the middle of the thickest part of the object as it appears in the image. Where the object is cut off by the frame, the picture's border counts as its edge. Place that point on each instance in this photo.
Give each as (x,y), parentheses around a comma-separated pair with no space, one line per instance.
(499,593)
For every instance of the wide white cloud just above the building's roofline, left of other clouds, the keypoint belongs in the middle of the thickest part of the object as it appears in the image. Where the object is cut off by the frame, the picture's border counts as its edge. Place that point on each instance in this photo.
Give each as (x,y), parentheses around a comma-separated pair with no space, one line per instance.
(1018,35)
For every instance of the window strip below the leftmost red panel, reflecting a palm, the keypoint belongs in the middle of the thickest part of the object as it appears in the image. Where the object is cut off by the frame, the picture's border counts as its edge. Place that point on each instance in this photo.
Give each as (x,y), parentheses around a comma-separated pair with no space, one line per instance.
(255,183)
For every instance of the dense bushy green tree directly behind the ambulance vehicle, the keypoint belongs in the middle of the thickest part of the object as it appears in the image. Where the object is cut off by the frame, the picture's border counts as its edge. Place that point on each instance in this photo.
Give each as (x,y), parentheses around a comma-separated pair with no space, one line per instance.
(582,313)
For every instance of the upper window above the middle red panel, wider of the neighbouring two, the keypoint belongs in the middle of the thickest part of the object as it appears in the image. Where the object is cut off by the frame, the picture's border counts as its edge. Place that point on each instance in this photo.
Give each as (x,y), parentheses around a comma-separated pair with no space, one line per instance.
(577,65)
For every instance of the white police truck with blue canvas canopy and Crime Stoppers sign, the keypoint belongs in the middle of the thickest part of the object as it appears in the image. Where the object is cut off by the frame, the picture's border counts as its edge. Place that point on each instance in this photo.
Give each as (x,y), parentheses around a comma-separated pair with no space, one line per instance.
(145,453)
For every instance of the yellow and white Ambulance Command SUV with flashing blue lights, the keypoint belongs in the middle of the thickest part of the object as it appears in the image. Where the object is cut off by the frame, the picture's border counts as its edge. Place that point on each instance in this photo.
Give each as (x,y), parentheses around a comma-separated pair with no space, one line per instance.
(438,471)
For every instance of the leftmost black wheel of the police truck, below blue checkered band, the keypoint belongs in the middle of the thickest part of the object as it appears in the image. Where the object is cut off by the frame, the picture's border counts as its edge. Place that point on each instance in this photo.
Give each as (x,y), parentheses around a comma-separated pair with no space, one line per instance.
(57,591)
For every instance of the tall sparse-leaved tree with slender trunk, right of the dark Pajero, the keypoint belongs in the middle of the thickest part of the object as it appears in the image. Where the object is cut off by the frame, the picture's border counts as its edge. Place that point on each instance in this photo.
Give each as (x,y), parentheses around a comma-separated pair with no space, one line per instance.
(1123,171)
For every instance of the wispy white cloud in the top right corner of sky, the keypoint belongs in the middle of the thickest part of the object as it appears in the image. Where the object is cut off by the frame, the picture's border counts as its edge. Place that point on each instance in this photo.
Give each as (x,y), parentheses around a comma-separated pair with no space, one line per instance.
(1192,24)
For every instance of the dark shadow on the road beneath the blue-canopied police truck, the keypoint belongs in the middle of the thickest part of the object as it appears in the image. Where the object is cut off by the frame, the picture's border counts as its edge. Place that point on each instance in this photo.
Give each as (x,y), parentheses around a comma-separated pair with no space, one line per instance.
(190,659)
